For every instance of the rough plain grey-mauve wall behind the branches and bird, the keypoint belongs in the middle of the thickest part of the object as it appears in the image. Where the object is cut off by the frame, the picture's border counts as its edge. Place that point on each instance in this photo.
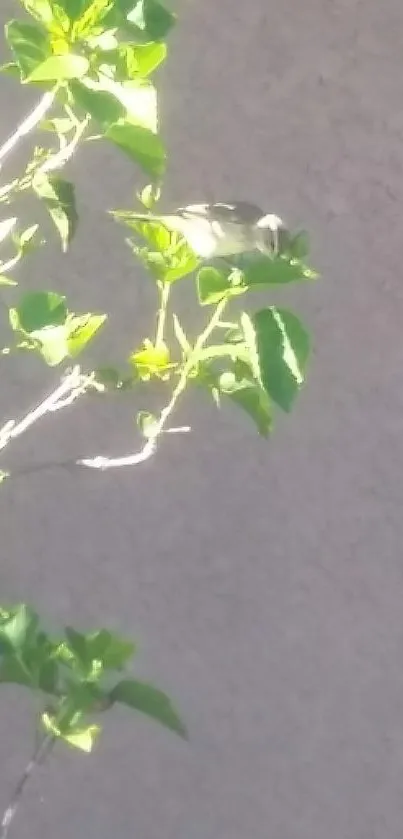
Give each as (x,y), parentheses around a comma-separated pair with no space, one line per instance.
(263,581)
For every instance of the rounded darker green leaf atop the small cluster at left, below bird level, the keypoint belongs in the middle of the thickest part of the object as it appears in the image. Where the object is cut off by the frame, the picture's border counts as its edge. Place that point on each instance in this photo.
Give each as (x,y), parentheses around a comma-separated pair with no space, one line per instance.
(38,310)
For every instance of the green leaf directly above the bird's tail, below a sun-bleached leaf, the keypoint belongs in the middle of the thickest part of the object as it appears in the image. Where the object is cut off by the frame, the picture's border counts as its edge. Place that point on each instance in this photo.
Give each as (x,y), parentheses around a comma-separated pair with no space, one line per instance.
(141,145)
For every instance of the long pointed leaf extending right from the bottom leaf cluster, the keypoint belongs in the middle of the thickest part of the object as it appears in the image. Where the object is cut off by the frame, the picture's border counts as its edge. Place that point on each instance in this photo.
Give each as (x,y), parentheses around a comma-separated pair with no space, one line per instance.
(150,701)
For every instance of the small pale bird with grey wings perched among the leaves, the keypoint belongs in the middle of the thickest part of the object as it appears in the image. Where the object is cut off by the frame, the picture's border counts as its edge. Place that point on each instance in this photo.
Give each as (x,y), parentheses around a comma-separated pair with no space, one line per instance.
(223,229)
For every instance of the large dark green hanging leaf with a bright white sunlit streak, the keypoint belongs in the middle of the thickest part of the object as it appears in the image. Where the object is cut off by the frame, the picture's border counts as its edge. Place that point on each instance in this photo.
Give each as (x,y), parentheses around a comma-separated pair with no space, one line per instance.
(282,347)
